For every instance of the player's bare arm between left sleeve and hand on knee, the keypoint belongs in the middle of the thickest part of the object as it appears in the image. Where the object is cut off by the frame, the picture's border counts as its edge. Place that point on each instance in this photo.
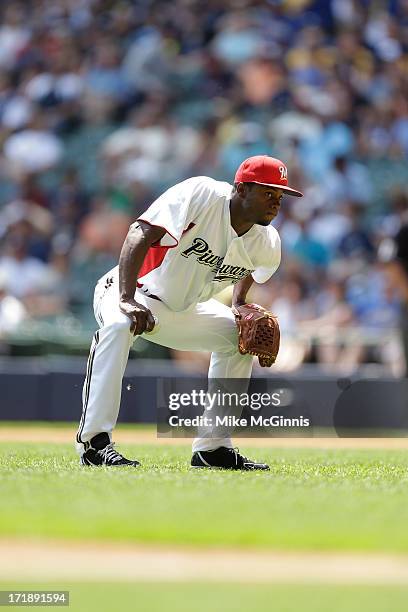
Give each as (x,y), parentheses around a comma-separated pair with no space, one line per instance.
(139,239)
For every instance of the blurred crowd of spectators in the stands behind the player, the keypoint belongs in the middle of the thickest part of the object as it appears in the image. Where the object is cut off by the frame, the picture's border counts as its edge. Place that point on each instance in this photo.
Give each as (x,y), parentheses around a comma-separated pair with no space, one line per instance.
(106,103)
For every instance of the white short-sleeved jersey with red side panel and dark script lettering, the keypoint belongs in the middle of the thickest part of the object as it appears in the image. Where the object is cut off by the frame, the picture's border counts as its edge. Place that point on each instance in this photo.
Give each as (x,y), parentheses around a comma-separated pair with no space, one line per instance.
(200,254)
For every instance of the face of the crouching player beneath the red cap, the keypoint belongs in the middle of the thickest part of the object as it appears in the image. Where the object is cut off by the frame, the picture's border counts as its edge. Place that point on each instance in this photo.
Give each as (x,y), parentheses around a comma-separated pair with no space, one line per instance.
(262,203)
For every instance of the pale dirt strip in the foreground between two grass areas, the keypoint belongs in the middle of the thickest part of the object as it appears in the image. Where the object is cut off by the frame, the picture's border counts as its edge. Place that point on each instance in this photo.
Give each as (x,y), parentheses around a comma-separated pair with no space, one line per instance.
(58,560)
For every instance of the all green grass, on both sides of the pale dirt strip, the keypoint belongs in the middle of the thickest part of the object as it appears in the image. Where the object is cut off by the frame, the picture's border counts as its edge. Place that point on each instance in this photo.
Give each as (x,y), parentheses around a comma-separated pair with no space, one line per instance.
(311,500)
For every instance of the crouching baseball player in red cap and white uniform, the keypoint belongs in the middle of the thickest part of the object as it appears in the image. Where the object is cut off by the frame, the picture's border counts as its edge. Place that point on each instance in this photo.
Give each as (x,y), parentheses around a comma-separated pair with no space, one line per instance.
(197,238)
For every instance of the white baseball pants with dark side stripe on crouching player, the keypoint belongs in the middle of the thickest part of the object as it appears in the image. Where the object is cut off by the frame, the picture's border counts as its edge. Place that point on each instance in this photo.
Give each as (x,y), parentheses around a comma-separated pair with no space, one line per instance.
(207,326)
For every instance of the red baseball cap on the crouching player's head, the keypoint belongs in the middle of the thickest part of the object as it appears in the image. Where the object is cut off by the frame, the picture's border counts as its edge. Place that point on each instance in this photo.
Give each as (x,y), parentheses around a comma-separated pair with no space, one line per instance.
(265,170)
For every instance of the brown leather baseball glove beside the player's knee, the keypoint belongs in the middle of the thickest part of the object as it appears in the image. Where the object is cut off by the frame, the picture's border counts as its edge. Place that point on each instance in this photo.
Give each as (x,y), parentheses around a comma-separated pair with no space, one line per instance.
(258,333)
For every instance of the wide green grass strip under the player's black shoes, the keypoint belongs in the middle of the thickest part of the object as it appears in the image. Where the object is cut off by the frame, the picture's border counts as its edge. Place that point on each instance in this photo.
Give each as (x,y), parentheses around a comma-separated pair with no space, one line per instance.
(310,500)
